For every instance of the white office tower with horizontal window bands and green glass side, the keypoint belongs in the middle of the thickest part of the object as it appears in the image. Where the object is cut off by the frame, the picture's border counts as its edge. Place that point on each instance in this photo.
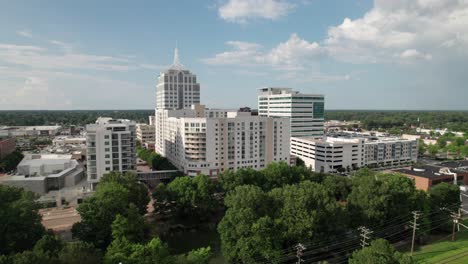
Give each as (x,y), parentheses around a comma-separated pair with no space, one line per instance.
(306,111)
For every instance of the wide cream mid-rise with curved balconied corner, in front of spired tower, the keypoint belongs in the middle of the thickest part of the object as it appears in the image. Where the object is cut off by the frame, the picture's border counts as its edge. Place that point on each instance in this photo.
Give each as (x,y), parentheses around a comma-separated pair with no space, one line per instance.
(210,141)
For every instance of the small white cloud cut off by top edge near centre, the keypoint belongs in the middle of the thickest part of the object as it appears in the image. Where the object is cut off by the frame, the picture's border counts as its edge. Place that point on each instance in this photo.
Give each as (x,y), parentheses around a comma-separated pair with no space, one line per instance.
(241,11)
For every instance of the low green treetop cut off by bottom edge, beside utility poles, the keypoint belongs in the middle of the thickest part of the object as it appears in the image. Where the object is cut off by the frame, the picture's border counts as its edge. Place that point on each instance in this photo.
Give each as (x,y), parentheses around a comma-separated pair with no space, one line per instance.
(380,251)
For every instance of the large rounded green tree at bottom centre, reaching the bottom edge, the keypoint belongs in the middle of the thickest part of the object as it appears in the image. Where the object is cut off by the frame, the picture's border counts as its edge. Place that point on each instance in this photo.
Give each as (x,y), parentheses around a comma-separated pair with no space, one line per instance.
(247,230)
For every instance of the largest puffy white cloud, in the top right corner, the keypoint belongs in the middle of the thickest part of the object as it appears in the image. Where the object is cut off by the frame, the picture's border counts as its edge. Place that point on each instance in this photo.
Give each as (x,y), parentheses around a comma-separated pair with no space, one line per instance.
(413,29)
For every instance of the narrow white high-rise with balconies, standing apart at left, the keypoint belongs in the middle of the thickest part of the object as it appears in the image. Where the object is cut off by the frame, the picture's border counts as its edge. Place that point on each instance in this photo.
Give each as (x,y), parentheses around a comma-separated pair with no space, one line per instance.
(111,146)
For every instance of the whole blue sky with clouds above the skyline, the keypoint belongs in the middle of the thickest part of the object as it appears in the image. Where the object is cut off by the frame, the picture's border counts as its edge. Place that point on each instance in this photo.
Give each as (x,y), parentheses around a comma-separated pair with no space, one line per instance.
(361,54)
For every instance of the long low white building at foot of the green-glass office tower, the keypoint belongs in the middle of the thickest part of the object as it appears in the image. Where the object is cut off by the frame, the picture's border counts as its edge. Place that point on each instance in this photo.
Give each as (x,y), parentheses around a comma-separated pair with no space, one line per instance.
(340,152)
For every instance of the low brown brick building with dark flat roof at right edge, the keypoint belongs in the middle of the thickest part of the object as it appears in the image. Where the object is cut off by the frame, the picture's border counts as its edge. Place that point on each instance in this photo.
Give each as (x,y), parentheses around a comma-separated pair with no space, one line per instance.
(425,177)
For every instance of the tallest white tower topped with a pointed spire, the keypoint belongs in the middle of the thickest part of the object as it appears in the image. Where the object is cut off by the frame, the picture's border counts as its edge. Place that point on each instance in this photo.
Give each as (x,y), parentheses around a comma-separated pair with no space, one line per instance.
(177,87)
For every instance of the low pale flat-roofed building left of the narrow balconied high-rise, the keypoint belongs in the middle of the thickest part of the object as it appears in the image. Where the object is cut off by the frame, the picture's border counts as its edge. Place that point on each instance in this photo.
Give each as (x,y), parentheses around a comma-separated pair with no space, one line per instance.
(43,173)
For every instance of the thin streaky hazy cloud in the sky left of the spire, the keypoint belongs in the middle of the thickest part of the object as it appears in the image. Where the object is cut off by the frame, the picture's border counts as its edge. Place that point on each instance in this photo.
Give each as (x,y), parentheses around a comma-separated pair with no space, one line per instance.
(56,76)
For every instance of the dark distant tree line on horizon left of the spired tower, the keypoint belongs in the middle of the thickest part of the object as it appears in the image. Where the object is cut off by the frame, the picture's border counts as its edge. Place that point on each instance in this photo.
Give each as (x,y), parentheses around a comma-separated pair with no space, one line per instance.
(68,117)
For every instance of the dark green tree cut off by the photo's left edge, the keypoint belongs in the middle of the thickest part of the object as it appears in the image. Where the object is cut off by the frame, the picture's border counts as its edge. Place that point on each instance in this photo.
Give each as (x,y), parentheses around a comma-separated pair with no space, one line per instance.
(20,225)
